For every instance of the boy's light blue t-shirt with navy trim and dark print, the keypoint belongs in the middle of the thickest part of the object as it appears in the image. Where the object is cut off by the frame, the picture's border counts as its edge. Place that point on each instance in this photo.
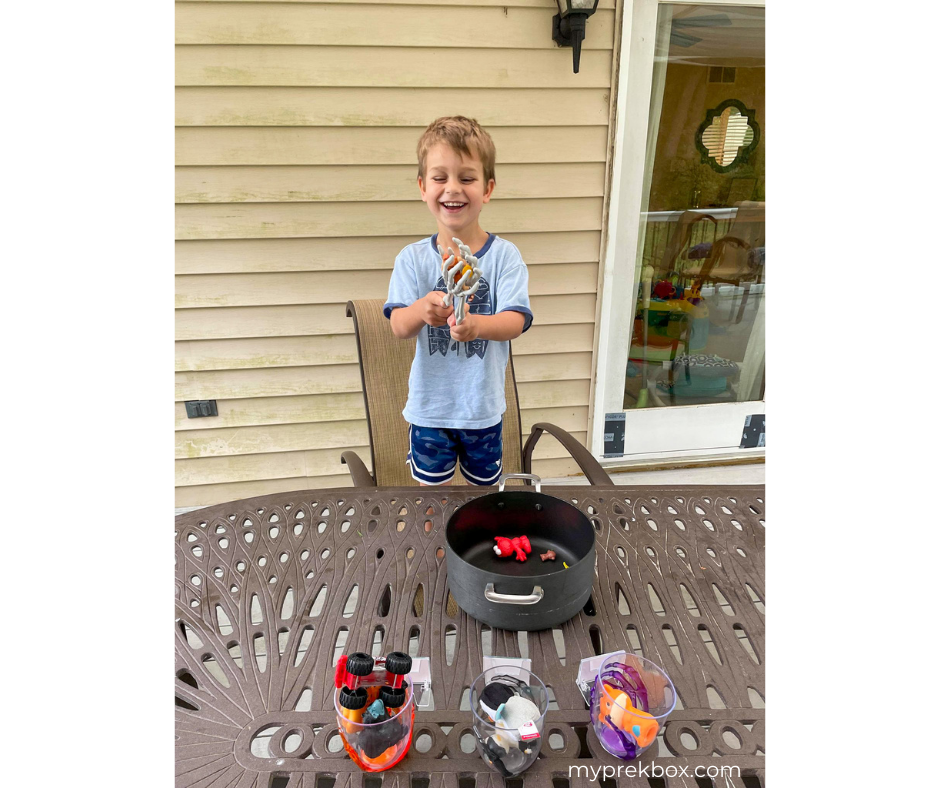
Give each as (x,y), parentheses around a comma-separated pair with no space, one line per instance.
(459,385)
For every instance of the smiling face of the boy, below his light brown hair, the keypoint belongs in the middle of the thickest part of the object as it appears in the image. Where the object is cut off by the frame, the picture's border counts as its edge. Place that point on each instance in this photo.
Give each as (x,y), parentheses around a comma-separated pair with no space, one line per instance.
(455,192)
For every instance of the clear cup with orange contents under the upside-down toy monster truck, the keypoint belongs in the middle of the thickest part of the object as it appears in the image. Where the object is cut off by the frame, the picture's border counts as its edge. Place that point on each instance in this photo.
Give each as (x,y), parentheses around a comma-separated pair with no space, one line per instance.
(379,746)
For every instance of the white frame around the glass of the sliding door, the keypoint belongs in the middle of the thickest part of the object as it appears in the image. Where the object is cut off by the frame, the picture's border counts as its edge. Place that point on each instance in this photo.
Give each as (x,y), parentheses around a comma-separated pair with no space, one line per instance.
(633,89)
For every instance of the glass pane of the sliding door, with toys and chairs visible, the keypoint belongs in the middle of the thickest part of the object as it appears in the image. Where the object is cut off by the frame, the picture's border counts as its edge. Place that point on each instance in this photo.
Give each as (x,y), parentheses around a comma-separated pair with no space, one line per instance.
(698,335)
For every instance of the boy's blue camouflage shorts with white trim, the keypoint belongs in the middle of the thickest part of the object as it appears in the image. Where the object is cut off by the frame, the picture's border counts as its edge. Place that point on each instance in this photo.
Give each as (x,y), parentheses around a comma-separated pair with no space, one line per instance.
(435,452)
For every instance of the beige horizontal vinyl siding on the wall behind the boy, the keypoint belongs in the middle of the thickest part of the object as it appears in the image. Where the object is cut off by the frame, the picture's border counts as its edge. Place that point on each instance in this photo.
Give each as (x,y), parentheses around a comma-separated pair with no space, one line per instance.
(295,128)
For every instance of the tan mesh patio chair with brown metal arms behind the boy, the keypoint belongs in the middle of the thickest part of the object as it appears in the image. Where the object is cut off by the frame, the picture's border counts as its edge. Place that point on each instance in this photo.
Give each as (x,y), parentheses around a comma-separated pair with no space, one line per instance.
(385,364)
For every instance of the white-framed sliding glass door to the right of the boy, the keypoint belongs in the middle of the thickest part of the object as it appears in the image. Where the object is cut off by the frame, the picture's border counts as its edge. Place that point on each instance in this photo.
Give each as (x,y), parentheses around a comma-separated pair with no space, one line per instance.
(681,362)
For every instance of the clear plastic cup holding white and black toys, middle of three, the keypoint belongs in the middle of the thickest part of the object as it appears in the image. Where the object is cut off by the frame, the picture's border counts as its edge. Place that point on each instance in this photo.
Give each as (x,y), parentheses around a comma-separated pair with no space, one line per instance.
(509,751)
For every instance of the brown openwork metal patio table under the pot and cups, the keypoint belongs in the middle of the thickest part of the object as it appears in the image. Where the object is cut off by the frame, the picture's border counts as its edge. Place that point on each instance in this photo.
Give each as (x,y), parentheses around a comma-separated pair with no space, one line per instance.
(680,580)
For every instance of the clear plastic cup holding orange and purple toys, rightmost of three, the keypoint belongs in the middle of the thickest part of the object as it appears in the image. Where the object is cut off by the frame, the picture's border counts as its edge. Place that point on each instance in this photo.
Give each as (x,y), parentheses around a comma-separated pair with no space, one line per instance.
(630,700)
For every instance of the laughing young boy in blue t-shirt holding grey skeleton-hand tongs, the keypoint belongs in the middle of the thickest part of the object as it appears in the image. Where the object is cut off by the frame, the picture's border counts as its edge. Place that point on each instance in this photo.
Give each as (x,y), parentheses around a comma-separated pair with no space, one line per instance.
(456,394)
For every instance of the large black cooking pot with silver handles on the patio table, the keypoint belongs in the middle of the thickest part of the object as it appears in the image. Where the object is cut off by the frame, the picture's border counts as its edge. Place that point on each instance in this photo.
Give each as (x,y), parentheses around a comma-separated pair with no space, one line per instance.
(511,594)
